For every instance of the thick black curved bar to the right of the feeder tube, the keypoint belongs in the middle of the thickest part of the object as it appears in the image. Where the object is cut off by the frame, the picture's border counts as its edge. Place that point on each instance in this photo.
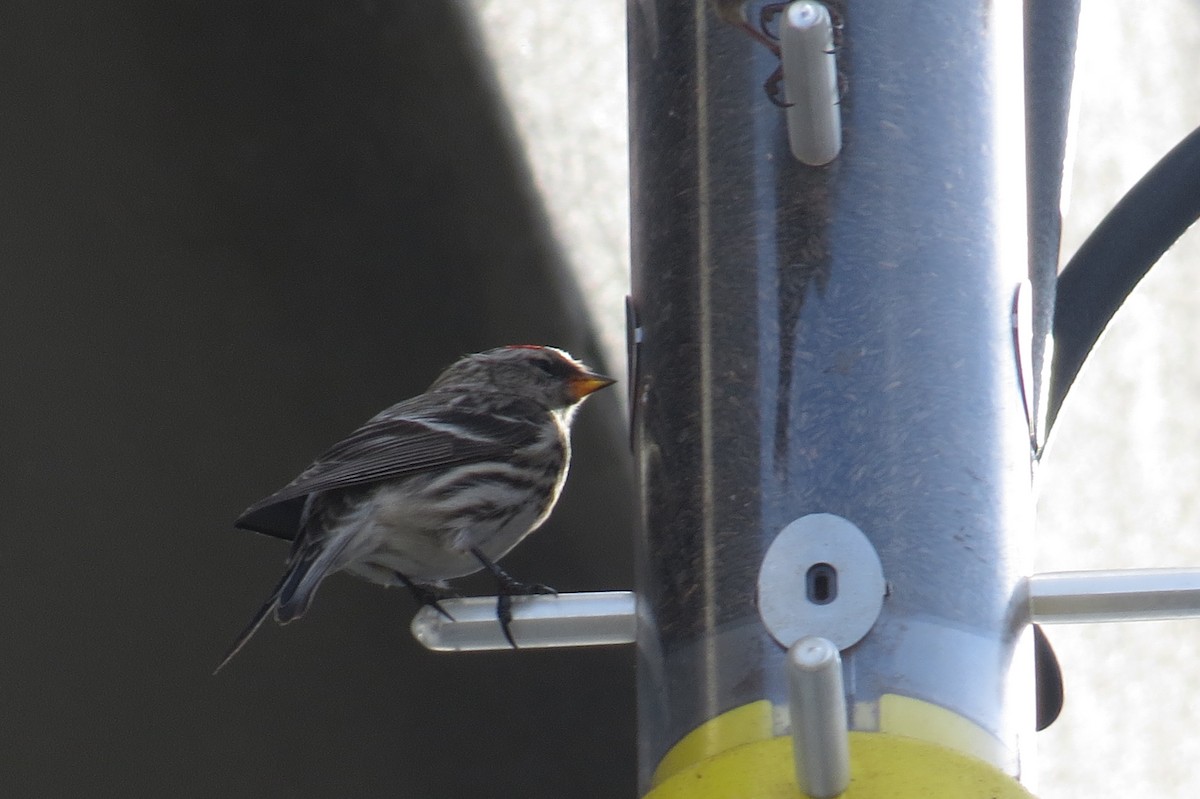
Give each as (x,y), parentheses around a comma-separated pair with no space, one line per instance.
(1119,254)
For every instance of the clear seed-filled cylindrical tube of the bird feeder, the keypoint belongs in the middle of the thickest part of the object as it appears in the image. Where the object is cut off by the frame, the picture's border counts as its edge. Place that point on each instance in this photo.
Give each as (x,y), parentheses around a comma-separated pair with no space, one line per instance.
(831,340)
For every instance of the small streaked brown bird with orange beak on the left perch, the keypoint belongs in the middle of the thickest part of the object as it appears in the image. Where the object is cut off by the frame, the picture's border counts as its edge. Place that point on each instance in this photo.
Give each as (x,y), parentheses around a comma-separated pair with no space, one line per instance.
(435,488)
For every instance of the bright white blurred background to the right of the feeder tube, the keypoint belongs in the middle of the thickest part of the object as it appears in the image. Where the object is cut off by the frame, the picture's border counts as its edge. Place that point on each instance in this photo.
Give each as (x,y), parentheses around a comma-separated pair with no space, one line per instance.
(1120,485)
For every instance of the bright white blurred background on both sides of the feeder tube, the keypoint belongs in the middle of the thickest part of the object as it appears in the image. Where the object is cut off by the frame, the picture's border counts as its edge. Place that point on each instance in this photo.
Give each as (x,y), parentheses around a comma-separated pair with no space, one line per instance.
(1119,486)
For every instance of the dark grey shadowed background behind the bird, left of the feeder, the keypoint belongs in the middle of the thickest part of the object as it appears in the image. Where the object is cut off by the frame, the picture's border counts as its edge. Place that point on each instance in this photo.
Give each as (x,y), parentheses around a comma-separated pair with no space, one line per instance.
(231,232)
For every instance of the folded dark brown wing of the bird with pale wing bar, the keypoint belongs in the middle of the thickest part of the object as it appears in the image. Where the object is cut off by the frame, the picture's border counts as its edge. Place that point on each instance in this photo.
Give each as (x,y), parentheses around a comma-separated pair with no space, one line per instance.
(391,447)
